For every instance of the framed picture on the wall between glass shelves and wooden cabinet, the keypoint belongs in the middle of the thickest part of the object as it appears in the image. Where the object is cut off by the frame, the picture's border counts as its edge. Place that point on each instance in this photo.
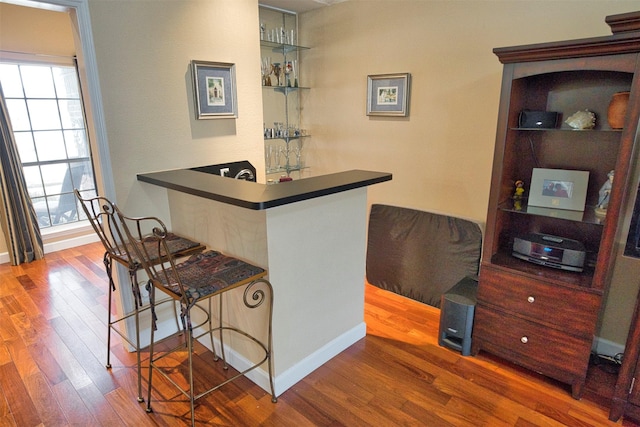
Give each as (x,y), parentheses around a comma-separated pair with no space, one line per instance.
(388,95)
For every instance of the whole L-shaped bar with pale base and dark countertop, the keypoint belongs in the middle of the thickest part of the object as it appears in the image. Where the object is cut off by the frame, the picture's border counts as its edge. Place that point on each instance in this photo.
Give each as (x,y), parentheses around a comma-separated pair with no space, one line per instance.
(310,234)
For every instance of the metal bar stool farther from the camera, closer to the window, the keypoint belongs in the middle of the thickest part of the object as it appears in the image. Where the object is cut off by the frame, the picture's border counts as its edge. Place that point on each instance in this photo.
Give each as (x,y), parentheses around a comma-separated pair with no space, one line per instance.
(101,214)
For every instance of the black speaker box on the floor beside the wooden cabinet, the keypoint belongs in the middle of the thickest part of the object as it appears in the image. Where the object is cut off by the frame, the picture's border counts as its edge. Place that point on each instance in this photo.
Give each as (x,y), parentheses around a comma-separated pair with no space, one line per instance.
(457,308)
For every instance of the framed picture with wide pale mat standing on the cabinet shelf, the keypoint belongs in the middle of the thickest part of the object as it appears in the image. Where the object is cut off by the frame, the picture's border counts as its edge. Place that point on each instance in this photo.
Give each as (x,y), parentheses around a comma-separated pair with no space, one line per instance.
(558,189)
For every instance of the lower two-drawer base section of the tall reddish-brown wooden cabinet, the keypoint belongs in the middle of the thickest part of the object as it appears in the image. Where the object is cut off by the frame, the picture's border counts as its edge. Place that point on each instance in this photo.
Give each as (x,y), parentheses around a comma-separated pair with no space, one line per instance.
(541,325)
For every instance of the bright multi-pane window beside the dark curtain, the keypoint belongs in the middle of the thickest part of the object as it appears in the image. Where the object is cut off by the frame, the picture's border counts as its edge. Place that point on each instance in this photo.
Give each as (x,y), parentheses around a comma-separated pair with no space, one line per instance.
(47,116)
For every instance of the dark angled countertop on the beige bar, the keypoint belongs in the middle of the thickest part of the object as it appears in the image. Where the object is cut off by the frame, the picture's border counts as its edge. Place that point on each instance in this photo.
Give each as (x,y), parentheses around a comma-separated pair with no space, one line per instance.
(252,195)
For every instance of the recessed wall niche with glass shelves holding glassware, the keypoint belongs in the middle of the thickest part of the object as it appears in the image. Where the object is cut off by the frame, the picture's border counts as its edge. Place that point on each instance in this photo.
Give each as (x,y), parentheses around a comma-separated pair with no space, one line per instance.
(282,93)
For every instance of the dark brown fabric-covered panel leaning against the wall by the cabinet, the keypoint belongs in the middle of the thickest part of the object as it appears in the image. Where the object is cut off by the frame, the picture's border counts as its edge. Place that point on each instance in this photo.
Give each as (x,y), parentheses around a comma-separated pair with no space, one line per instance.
(418,254)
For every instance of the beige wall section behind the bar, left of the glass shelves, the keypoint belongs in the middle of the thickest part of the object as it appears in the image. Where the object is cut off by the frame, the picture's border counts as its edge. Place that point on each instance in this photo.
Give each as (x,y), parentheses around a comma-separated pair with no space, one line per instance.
(143,50)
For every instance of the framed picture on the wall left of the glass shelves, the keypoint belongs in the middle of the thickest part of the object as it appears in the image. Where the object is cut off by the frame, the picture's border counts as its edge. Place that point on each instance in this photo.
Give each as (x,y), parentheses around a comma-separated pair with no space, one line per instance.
(214,85)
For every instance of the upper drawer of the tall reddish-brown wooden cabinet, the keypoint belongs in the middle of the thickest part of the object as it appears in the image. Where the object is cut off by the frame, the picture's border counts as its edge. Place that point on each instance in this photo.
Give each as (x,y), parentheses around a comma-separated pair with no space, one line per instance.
(567,309)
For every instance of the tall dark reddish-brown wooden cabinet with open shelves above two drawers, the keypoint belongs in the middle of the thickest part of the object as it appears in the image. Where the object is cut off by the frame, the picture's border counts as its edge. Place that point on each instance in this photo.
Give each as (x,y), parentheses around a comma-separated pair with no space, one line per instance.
(537,316)
